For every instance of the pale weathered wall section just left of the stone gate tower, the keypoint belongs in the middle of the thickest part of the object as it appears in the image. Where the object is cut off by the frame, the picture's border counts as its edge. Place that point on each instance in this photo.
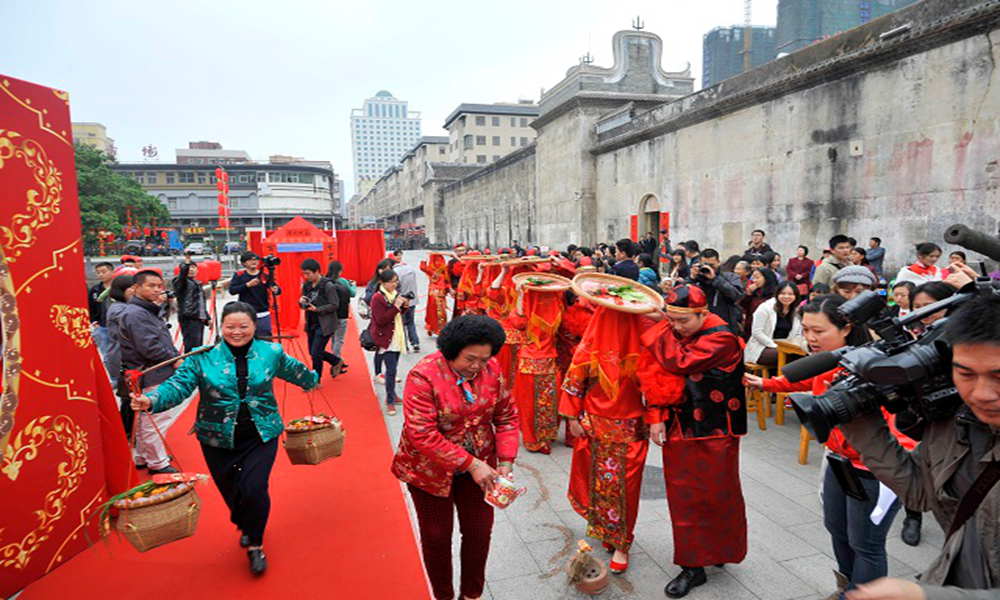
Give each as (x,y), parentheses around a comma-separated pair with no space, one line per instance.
(493,206)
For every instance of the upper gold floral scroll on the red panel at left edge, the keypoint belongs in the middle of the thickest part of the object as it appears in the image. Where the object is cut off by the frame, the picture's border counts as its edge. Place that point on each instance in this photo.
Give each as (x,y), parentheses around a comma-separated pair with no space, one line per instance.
(42,206)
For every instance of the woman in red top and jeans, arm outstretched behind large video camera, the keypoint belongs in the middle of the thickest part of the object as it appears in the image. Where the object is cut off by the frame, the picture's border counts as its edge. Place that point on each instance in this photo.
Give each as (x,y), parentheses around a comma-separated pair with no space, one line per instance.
(858,542)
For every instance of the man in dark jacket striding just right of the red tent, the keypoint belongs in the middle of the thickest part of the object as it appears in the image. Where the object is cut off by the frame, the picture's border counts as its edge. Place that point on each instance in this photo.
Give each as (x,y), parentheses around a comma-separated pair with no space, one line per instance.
(321,302)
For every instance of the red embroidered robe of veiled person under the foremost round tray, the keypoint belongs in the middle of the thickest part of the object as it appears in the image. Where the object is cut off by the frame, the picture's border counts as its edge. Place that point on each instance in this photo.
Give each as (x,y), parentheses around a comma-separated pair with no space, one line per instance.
(601,390)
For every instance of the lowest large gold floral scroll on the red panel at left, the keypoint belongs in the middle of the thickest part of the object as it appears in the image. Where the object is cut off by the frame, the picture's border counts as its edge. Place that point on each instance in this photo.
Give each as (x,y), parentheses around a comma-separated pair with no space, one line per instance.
(25,447)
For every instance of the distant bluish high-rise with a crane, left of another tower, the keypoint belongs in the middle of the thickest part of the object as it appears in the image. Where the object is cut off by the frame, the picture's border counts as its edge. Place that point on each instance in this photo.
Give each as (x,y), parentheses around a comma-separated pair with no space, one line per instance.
(722,52)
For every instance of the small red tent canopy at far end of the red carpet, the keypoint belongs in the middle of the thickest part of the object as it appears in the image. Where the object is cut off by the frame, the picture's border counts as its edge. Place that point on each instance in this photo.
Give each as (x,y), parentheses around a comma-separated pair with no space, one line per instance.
(294,242)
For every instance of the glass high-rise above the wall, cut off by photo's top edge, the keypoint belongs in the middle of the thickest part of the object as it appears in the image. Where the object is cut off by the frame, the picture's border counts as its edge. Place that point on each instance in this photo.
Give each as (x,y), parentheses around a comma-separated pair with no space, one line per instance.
(802,22)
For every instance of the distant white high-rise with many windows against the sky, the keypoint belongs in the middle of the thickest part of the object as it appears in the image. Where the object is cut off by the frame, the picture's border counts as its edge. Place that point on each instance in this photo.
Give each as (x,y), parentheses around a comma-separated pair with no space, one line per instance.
(382,131)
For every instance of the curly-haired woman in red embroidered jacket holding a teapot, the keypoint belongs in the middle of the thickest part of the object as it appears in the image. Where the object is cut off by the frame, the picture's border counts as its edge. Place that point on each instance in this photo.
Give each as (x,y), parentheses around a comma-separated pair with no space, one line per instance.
(459,434)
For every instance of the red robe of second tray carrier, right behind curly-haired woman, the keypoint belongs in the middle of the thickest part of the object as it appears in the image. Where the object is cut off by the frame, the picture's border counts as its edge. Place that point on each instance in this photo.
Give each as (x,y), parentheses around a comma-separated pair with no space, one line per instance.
(536,384)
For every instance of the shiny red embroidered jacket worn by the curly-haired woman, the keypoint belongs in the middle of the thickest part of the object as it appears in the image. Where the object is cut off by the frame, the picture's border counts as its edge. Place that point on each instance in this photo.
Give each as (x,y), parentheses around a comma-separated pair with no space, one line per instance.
(443,431)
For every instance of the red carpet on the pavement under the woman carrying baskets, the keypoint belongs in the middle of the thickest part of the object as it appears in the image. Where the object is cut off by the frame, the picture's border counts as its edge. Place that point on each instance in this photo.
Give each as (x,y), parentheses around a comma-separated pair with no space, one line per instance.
(338,529)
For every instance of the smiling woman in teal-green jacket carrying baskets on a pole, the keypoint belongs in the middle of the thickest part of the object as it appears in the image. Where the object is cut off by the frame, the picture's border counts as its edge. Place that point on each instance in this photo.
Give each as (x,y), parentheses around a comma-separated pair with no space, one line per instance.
(238,422)
